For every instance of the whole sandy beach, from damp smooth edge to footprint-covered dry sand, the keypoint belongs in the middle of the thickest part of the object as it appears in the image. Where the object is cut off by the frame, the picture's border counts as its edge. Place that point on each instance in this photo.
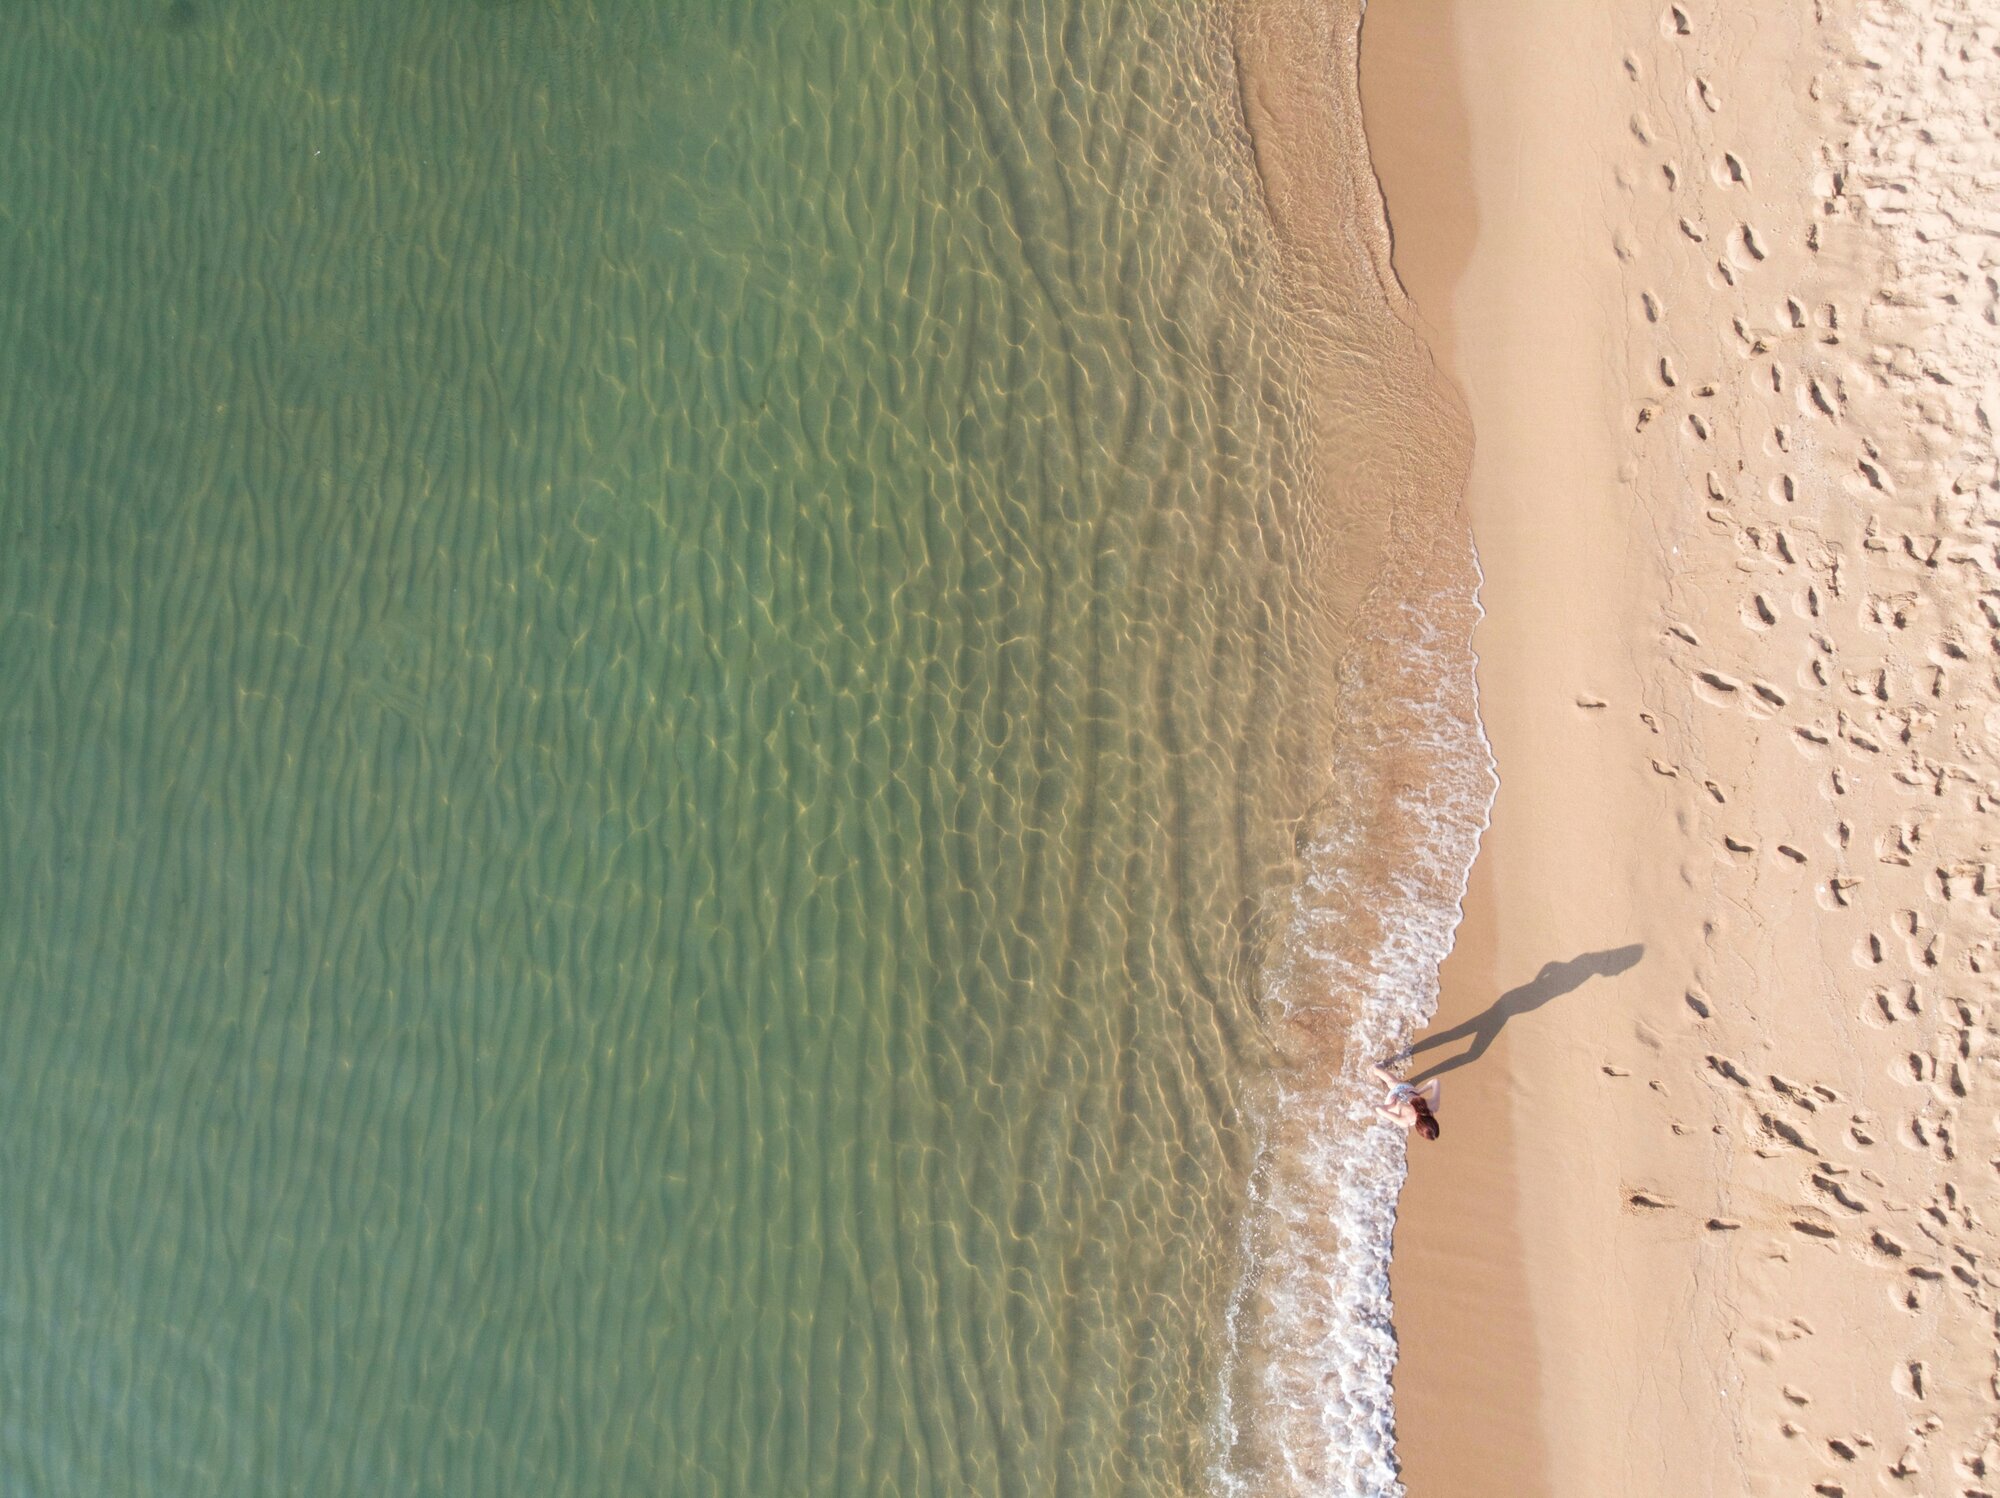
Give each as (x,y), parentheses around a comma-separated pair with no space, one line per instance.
(1715,1211)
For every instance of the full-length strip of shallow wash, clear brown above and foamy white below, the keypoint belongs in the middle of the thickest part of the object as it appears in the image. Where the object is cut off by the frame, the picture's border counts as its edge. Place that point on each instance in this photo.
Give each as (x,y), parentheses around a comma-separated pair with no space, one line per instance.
(1391,835)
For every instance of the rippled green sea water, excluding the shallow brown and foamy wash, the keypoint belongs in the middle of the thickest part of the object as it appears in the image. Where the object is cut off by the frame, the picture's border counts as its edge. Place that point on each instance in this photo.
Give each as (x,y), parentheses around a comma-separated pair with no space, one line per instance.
(653,669)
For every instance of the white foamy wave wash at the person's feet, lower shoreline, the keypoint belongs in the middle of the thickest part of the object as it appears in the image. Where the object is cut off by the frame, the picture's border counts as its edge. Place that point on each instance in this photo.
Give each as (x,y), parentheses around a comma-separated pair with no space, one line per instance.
(1307,1401)
